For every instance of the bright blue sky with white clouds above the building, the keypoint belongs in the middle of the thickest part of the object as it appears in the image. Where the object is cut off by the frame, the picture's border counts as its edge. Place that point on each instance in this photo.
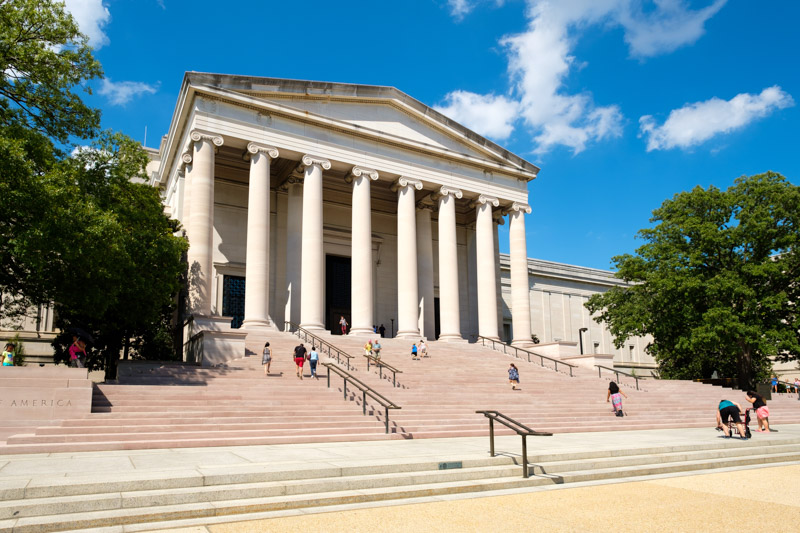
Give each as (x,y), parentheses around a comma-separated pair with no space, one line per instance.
(622,103)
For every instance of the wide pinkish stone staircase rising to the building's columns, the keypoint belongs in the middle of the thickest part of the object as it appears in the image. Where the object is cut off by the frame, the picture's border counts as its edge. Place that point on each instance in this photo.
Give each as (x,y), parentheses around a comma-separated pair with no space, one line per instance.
(186,406)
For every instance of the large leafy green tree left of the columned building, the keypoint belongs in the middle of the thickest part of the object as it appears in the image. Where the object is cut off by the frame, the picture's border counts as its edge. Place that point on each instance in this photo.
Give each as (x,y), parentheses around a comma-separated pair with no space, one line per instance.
(76,231)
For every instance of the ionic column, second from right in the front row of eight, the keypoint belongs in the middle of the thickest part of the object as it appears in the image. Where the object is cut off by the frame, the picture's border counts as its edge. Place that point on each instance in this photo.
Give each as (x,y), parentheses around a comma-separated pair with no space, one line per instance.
(487,289)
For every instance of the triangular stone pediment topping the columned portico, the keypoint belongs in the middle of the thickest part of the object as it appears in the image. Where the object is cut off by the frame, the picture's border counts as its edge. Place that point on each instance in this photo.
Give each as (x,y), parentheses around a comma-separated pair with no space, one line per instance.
(383,111)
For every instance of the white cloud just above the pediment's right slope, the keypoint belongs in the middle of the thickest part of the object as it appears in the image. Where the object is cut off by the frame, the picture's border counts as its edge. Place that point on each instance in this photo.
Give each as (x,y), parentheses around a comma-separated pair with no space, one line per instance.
(489,115)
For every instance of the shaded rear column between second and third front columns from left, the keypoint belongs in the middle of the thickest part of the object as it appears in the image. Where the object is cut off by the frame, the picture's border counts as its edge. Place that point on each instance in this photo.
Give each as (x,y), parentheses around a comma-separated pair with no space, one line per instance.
(294,247)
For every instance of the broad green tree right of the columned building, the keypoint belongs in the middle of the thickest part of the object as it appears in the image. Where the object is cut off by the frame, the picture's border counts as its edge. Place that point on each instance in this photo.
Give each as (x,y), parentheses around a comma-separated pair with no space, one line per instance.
(716,282)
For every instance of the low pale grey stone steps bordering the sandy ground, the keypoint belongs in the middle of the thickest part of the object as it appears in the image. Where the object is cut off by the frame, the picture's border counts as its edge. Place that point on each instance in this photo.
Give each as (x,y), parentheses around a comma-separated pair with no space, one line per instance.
(225,493)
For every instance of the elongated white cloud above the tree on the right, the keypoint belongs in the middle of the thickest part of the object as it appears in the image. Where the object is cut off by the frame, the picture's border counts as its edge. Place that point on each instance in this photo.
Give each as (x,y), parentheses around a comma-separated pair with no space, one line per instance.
(695,123)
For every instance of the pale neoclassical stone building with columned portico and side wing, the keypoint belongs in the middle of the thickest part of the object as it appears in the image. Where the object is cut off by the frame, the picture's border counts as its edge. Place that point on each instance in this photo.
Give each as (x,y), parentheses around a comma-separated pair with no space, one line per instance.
(307,201)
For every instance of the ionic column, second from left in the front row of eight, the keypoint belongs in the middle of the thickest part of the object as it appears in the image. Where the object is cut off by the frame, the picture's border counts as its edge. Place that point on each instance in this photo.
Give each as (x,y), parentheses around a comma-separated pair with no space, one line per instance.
(256,296)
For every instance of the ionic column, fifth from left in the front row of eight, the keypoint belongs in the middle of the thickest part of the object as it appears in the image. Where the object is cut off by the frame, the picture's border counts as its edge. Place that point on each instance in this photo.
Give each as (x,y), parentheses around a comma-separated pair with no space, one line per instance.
(407,301)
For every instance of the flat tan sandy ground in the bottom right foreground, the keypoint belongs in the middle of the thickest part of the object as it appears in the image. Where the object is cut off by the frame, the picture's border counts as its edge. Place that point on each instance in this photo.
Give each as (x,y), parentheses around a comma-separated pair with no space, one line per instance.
(762,499)
